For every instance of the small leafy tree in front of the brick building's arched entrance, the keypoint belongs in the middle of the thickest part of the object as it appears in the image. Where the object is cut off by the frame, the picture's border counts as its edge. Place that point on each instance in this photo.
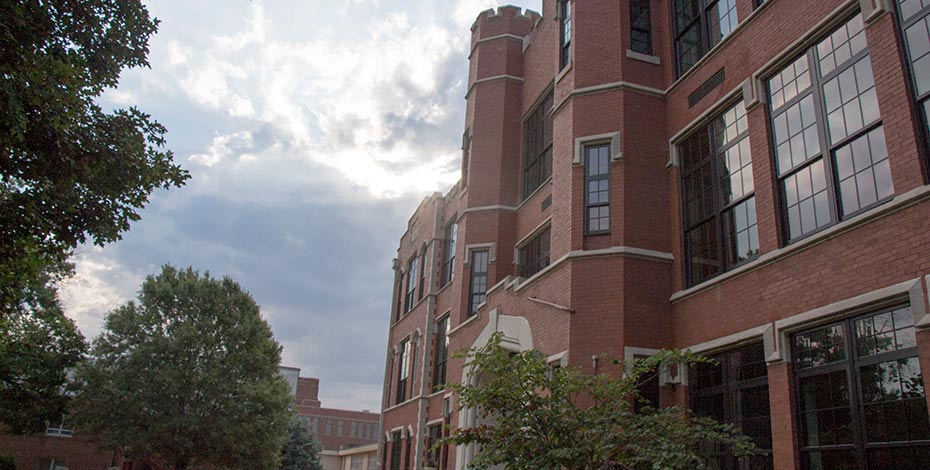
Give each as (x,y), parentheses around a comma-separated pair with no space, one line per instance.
(535,417)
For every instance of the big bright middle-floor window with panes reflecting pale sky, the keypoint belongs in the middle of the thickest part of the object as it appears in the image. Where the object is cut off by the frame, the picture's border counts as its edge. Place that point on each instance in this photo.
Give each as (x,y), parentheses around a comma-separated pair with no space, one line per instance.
(830,144)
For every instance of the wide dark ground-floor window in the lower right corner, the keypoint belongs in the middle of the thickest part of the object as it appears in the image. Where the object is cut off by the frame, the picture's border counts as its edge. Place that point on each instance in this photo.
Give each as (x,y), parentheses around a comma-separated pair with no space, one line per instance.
(861,394)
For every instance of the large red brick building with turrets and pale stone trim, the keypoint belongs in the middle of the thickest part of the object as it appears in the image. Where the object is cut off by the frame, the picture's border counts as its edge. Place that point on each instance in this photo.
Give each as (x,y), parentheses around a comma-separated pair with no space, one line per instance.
(744,178)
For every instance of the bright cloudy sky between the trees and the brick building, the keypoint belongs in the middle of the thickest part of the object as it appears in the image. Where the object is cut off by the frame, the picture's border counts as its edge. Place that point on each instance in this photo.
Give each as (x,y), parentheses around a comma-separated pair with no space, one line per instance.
(311,129)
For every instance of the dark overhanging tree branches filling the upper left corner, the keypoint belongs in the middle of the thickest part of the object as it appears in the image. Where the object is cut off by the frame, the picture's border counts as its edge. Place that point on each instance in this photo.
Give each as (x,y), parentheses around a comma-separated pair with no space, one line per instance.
(69,171)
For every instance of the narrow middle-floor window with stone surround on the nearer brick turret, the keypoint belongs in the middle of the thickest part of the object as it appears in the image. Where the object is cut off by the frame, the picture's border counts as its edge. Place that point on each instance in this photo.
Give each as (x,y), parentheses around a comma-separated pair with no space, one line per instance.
(597,188)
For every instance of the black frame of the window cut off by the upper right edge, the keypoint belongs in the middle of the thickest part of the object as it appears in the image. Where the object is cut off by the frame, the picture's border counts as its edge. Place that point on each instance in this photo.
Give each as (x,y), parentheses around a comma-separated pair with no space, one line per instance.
(921,101)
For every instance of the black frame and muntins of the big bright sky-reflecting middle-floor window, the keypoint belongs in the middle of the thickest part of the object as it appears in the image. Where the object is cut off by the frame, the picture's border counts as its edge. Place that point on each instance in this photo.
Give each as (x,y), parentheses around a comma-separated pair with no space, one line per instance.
(825,156)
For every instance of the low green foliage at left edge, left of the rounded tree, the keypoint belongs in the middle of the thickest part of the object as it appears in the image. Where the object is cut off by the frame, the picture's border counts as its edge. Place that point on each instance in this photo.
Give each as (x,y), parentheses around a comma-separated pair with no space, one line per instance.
(38,344)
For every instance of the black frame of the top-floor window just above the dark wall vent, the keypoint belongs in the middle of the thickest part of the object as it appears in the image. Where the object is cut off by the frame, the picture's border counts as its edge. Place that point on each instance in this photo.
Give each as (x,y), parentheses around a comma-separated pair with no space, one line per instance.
(701,22)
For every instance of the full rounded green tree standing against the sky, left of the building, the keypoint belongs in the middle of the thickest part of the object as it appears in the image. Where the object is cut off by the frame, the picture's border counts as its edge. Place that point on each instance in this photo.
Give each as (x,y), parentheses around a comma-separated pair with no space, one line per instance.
(186,375)
